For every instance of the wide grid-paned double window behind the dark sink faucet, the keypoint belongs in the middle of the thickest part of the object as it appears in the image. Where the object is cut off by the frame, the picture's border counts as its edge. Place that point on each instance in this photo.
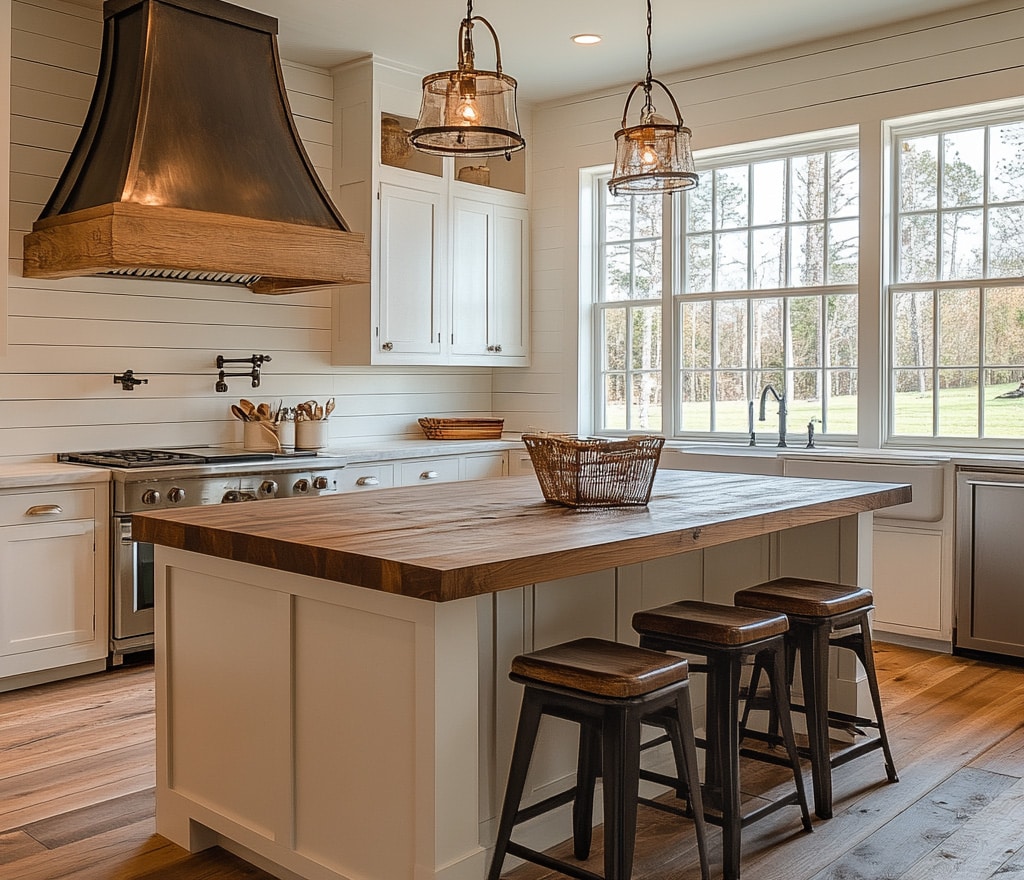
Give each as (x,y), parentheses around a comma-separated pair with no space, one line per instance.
(753,276)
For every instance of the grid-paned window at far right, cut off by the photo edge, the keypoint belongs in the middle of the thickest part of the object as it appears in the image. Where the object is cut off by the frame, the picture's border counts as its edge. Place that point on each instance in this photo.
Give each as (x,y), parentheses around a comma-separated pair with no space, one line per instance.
(956,305)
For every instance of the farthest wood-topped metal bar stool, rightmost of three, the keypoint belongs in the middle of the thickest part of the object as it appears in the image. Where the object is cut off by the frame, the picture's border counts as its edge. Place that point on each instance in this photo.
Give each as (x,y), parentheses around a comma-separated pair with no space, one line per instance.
(824,615)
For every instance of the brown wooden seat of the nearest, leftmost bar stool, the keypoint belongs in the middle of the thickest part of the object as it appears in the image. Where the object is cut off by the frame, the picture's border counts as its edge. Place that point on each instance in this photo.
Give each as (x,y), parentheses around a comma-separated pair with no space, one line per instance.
(602,668)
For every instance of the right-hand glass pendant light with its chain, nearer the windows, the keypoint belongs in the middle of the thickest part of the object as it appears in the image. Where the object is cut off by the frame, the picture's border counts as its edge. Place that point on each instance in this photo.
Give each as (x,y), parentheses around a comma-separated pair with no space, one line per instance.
(655,156)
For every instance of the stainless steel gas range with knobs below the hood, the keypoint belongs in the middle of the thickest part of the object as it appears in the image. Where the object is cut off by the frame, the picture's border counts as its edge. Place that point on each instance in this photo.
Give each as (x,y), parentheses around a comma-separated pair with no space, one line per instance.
(153,480)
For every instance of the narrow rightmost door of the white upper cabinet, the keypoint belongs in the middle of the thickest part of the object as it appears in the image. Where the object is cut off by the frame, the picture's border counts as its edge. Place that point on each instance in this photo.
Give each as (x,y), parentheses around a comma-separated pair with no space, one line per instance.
(510,298)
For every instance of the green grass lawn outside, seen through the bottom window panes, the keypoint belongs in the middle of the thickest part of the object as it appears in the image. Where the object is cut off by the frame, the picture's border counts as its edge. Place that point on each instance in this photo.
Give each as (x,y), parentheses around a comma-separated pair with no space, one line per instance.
(959,415)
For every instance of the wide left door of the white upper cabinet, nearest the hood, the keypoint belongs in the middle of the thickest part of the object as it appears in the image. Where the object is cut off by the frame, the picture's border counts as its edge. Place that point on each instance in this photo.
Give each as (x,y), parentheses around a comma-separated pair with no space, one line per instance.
(412,273)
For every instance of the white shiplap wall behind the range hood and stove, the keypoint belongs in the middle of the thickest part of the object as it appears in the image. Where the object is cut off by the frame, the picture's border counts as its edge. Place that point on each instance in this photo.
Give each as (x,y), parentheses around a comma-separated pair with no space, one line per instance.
(68,339)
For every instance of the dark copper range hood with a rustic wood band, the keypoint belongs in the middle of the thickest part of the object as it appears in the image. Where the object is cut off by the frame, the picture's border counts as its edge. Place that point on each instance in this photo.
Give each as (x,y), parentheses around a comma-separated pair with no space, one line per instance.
(190,165)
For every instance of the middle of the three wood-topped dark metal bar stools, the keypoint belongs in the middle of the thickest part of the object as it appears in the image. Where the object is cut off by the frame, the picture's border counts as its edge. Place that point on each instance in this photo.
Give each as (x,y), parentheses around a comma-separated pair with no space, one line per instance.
(726,637)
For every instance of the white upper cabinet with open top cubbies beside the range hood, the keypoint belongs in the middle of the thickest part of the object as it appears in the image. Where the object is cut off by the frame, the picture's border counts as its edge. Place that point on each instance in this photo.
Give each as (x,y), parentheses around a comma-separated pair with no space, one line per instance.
(449,238)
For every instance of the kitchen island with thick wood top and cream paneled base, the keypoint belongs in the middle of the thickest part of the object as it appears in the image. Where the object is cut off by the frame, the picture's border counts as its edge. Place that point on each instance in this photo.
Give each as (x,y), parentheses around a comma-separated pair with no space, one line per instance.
(332,697)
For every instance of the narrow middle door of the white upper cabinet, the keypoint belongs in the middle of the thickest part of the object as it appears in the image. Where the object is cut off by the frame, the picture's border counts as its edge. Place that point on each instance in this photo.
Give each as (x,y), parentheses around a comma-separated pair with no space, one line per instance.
(472,276)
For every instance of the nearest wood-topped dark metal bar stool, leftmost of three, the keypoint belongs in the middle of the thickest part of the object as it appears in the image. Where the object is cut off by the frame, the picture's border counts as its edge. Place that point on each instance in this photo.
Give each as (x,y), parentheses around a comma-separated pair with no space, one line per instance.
(606,688)
